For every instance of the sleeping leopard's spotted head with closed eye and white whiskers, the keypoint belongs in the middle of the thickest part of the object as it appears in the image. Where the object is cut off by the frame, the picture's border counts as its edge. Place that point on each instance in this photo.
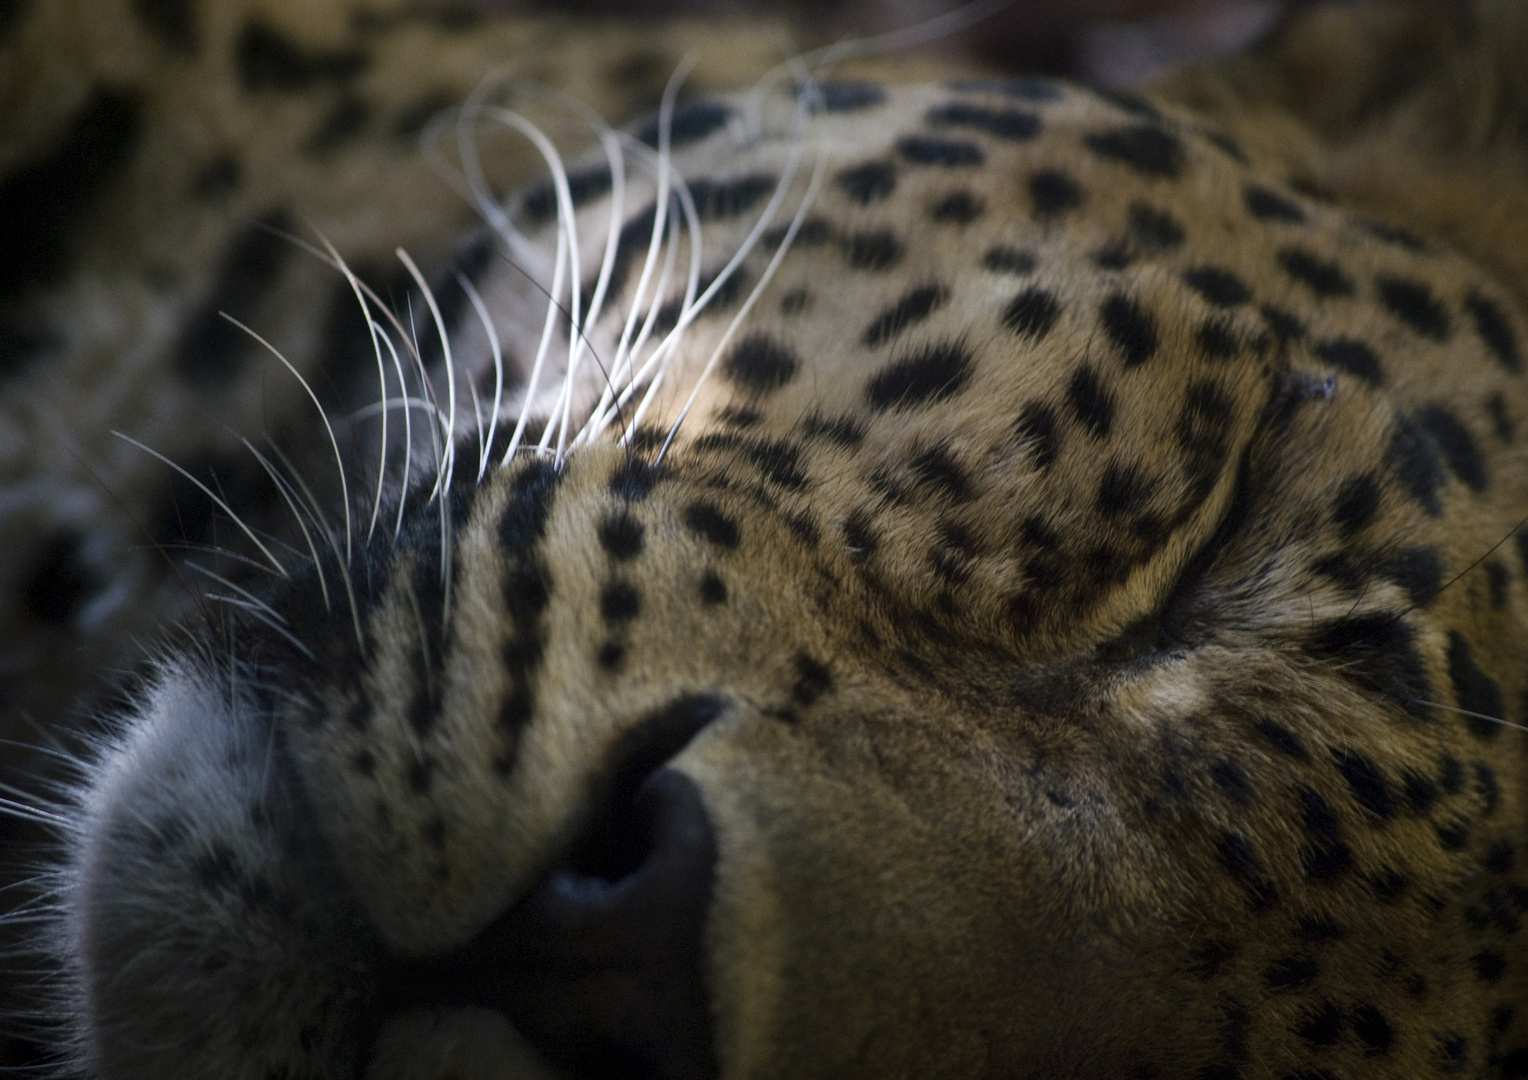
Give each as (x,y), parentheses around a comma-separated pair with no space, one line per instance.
(1043,613)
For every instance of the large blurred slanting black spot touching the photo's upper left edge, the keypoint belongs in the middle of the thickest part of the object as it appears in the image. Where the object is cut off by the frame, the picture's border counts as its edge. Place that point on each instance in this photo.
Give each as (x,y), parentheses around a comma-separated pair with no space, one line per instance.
(44,202)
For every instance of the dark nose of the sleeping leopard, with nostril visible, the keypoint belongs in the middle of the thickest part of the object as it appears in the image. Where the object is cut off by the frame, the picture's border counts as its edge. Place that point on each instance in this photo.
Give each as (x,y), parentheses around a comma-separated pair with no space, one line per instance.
(601,966)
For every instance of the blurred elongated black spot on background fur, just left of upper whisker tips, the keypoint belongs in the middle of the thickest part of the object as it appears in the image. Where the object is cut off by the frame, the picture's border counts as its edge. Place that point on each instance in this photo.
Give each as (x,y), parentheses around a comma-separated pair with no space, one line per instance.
(212,351)
